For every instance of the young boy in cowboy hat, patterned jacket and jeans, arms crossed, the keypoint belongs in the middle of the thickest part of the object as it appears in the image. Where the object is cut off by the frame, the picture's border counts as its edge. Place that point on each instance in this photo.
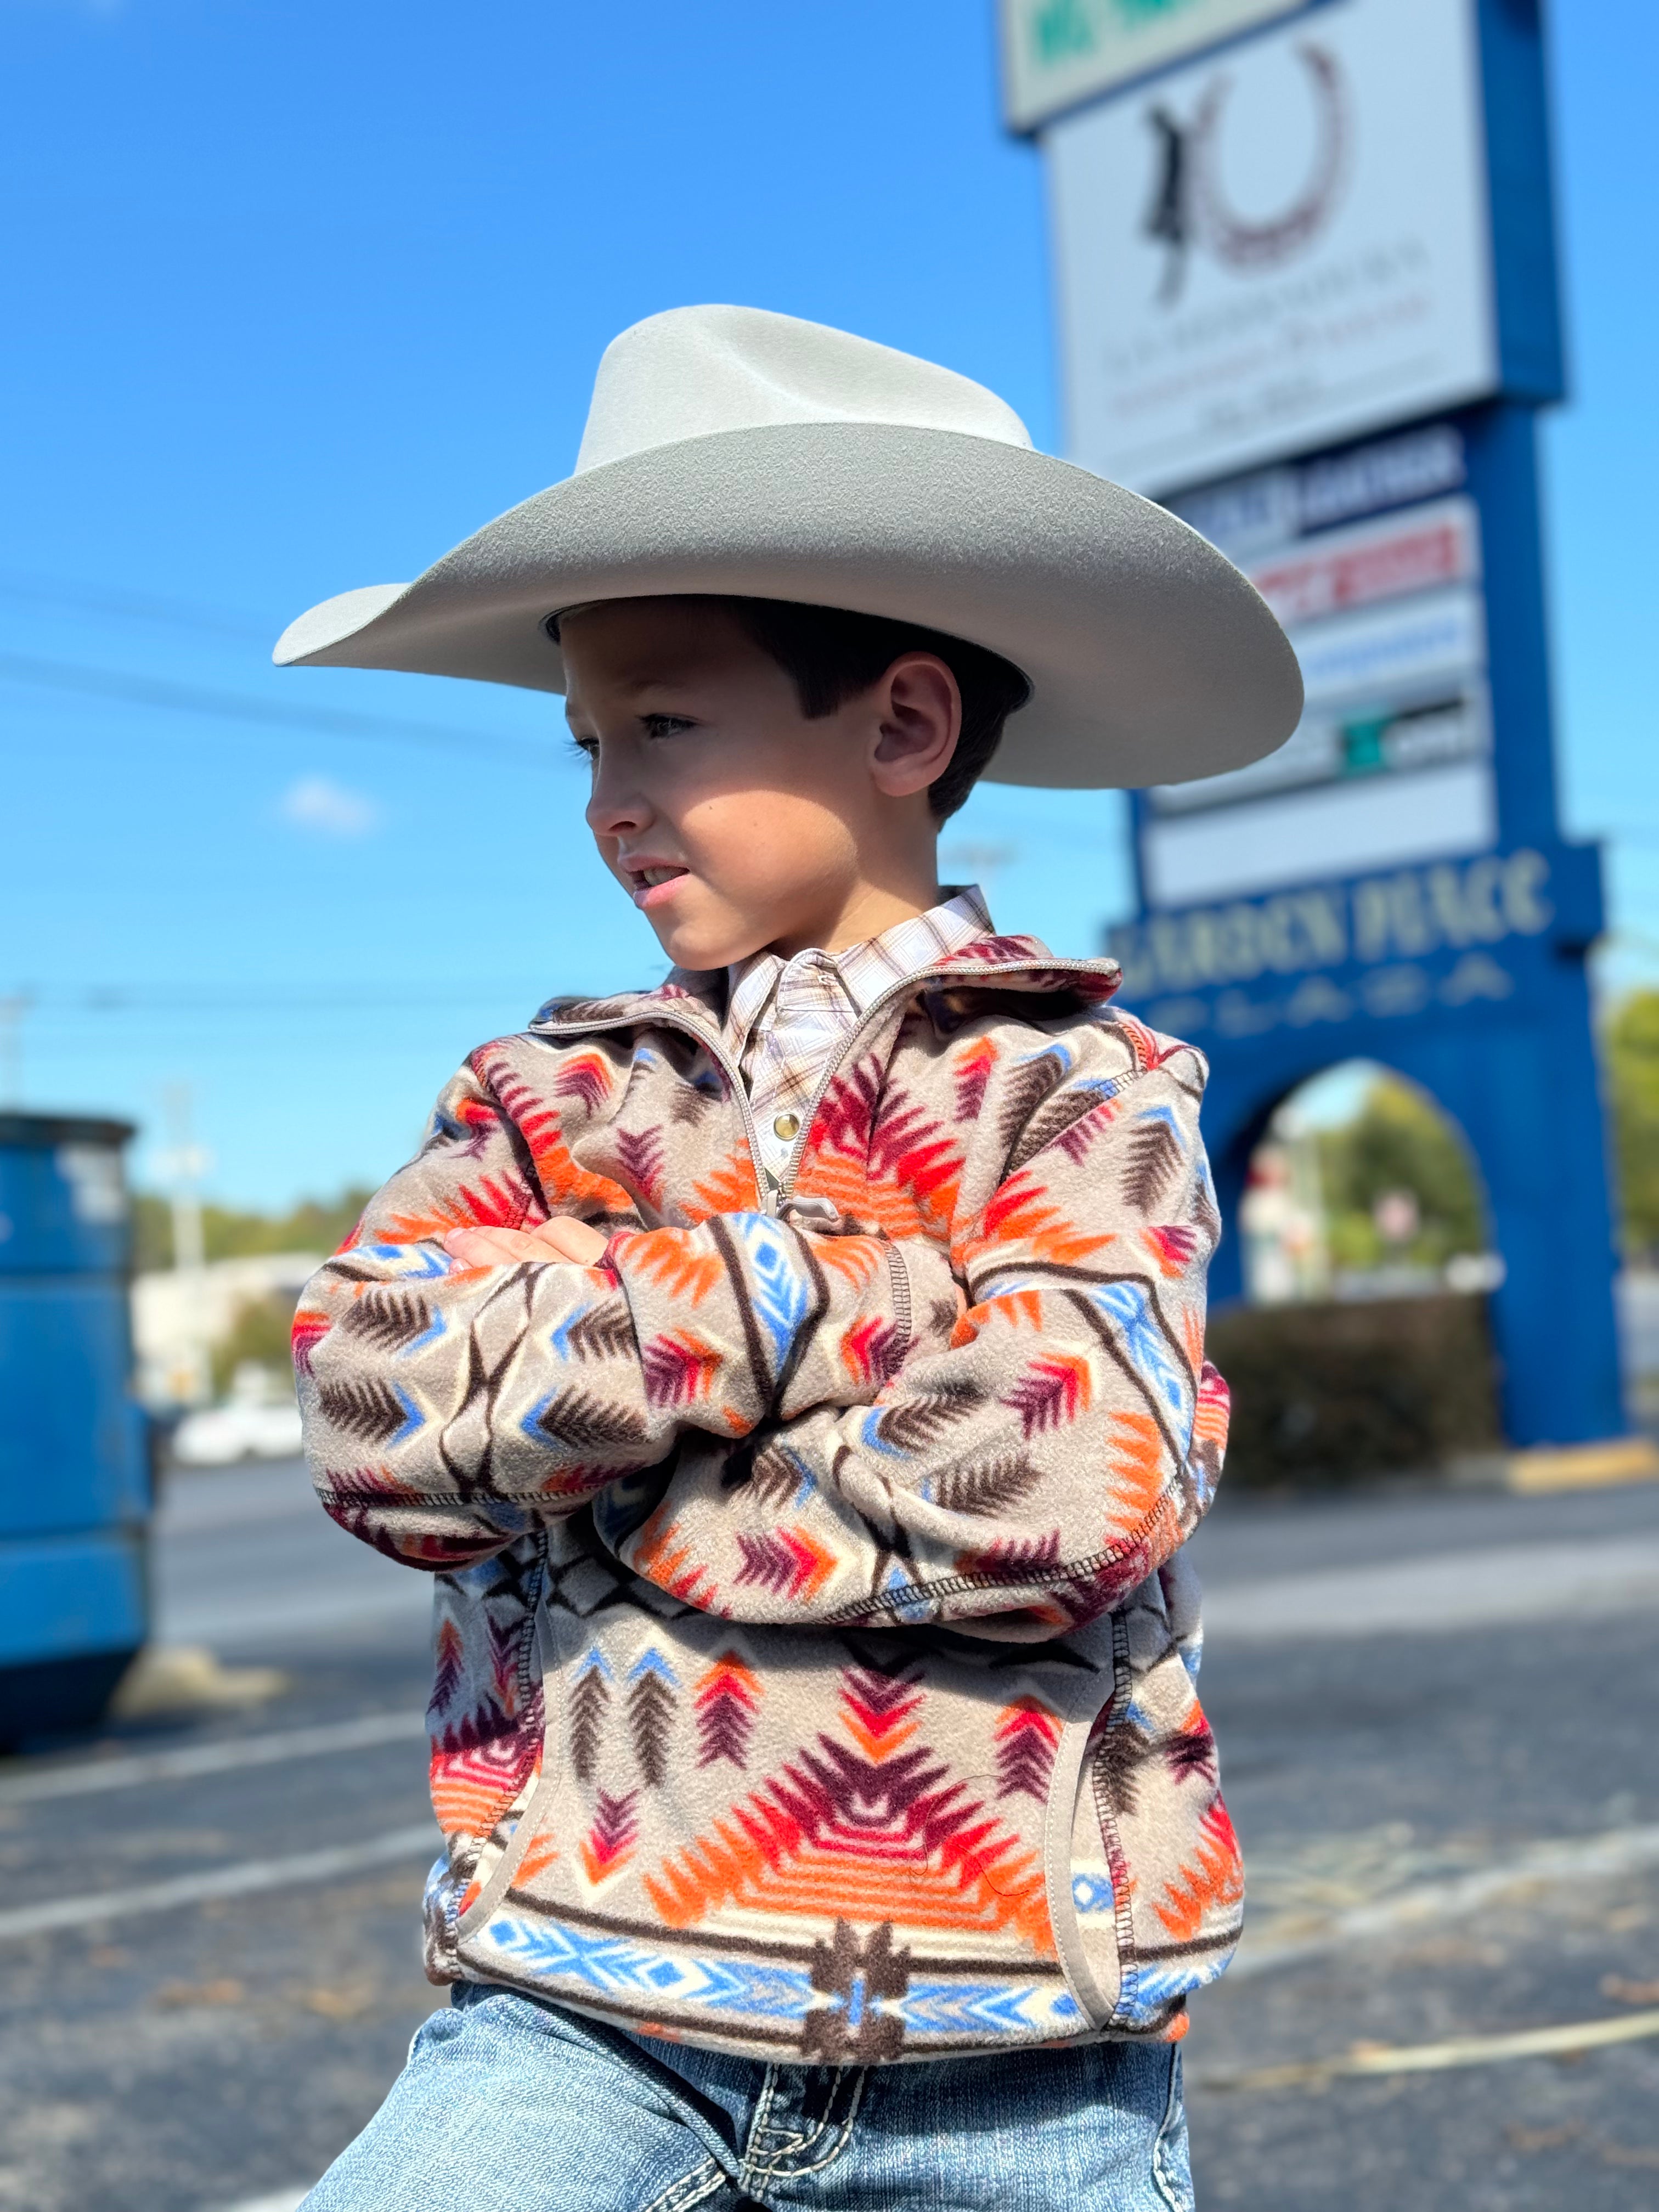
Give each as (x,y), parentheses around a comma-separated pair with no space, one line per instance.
(793,1377)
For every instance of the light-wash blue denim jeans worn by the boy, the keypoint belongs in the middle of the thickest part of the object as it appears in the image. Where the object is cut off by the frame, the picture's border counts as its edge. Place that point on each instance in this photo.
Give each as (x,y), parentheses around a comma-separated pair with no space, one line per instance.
(521,2107)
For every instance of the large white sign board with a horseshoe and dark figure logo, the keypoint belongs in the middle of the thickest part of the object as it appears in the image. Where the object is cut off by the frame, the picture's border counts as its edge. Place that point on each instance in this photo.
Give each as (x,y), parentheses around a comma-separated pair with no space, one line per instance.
(1277,247)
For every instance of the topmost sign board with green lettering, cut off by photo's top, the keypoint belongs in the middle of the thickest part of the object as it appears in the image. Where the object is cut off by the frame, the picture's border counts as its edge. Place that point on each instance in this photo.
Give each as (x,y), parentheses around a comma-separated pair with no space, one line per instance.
(1061,52)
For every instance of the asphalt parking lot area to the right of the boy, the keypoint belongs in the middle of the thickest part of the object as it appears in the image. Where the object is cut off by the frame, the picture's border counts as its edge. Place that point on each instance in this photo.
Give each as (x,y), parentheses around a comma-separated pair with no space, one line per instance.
(1452,1837)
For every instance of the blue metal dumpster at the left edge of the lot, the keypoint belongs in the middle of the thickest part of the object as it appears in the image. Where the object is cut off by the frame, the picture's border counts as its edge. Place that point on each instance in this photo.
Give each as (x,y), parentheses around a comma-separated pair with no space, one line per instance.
(74,1461)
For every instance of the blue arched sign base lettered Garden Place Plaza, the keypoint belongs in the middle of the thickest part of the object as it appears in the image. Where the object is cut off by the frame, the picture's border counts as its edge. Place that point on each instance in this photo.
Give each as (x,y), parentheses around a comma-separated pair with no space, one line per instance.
(1468,977)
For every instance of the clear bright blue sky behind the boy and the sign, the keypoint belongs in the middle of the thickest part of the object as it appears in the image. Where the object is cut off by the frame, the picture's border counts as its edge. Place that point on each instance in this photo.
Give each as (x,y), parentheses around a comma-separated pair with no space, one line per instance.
(302,295)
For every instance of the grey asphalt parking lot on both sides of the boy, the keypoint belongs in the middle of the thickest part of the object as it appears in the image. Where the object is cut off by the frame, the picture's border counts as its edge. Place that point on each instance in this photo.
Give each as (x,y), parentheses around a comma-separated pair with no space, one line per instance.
(1437,1733)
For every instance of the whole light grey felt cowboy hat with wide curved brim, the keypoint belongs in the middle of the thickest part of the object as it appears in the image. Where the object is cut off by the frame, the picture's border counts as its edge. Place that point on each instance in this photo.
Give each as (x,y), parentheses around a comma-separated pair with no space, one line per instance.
(744,452)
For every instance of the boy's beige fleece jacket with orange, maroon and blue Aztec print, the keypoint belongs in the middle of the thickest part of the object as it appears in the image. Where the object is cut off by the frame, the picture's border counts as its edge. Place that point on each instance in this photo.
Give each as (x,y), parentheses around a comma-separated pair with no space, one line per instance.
(813,1660)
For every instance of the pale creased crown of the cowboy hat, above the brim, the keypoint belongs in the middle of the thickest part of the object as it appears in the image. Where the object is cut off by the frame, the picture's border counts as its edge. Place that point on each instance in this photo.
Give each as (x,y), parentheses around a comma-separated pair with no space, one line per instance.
(696,373)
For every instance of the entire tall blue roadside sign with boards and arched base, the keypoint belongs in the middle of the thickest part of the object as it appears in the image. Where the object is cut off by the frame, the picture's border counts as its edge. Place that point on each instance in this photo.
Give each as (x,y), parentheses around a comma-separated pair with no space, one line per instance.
(1306,271)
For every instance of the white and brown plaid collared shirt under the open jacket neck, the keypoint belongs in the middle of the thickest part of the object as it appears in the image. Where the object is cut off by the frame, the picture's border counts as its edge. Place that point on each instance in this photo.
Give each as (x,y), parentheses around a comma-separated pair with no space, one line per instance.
(784,1019)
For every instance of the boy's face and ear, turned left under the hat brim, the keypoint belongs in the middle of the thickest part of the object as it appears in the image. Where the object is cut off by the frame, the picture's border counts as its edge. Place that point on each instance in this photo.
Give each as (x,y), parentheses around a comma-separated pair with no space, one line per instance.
(731,820)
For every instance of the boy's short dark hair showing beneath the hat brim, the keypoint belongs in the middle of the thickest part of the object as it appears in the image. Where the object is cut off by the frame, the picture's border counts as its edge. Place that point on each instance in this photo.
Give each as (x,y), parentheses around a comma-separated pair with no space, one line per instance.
(833,656)
